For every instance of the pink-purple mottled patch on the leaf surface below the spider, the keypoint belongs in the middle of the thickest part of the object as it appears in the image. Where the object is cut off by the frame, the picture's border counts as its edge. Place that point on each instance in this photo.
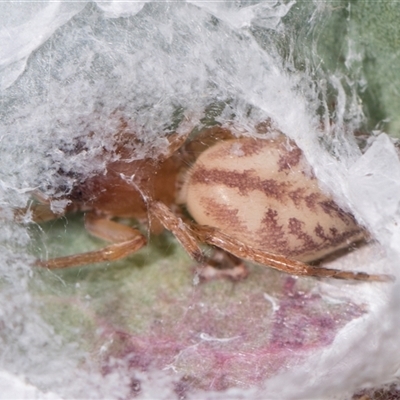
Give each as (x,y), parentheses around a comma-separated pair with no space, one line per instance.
(231,345)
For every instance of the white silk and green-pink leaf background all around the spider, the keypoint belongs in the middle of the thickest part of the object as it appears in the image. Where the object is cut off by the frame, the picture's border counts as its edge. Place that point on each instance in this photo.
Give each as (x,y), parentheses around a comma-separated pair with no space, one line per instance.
(324,73)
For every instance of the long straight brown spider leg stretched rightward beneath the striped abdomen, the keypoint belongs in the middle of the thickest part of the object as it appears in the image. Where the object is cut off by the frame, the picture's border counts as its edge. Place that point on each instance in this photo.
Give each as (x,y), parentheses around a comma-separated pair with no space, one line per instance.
(215,237)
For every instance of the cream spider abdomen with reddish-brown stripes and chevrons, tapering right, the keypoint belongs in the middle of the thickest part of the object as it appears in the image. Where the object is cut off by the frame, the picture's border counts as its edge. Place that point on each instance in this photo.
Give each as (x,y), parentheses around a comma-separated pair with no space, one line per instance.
(263,192)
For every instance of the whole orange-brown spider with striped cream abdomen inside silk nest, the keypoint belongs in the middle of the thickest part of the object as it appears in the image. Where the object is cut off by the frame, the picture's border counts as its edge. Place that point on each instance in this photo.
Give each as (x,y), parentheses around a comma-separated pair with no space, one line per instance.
(255,199)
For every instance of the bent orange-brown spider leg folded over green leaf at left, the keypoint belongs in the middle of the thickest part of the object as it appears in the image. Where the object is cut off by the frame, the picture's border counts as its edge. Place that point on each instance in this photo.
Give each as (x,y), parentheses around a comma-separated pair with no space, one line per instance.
(125,241)
